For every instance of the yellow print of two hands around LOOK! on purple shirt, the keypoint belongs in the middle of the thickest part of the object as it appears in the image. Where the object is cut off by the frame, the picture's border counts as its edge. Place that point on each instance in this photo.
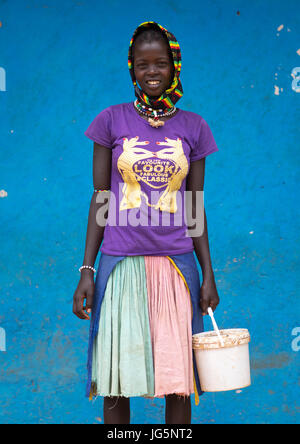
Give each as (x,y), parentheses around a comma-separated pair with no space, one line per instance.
(162,169)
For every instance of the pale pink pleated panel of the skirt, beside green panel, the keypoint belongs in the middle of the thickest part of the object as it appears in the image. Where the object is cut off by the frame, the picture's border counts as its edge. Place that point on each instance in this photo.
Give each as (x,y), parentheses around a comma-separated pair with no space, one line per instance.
(170,313)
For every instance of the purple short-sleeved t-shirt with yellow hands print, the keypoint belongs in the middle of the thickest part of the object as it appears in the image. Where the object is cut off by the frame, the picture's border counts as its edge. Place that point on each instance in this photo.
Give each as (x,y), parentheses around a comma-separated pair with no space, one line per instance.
(146,213)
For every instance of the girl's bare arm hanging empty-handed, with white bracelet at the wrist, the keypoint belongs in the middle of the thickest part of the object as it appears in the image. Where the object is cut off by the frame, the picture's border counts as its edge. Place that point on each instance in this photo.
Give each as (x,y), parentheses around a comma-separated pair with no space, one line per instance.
(94,235)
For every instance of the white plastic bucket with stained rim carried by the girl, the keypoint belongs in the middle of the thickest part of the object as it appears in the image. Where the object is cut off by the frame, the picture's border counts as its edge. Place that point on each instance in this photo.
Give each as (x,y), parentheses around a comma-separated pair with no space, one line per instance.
(223,366)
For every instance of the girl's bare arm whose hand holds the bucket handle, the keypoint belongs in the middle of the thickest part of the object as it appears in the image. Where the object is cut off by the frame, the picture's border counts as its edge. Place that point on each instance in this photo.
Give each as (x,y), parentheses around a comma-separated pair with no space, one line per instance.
(195,182)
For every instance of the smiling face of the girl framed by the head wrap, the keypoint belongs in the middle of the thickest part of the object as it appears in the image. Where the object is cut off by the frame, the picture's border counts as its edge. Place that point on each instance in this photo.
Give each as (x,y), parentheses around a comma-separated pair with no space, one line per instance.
(153,68)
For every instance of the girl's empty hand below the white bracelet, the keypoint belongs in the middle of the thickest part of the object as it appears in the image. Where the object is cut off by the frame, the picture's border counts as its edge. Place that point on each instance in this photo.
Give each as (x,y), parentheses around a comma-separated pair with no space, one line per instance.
(84,290)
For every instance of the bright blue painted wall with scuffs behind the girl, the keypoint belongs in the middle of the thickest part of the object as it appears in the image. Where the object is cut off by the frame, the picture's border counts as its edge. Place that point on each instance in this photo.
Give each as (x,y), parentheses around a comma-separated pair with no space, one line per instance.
(65,61)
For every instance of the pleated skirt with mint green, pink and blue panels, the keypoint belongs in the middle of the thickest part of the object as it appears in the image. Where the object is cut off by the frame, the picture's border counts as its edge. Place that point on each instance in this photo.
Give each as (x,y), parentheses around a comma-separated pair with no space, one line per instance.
(142,326)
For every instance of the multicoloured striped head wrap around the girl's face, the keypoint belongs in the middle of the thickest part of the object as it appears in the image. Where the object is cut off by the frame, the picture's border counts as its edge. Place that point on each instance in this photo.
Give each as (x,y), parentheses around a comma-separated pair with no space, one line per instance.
(170,96)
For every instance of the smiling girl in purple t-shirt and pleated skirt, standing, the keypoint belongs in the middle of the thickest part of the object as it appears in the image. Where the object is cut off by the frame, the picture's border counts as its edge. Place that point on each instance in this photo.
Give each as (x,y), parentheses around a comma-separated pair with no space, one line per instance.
(147,300)
